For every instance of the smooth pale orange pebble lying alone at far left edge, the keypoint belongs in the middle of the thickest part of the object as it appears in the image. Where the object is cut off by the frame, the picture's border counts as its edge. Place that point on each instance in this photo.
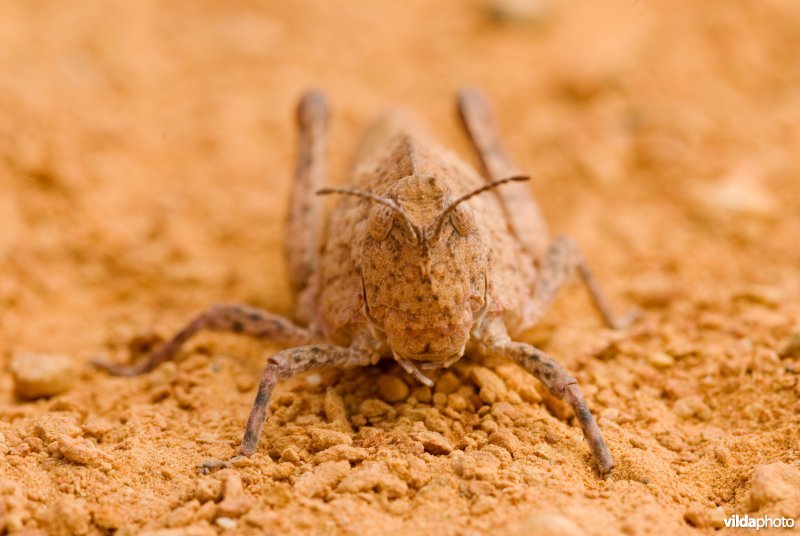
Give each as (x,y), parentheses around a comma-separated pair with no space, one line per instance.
(41,375)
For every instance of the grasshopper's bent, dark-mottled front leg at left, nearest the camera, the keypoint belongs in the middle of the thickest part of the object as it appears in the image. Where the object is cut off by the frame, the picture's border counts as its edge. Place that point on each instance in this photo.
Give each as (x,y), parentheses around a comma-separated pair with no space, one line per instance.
(281,366)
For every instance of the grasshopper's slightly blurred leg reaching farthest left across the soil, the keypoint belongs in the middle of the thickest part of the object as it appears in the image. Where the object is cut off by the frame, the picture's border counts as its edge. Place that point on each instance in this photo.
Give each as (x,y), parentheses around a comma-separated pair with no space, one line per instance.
(234,318)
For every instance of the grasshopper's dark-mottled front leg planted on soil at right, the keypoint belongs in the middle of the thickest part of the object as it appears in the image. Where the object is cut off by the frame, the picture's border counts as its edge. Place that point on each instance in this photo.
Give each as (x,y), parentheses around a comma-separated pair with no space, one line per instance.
(561,385)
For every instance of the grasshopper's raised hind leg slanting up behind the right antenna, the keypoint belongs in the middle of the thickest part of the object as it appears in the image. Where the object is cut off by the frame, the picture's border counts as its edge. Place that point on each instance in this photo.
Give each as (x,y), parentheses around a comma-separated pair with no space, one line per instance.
(522,211)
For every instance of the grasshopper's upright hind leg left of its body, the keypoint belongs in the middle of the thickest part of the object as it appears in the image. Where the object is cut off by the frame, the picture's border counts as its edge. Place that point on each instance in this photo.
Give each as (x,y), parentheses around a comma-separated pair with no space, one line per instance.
(304,224)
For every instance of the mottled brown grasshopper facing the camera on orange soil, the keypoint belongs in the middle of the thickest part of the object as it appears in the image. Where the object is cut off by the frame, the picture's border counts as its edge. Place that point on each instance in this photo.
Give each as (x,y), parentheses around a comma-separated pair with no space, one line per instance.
(414,264)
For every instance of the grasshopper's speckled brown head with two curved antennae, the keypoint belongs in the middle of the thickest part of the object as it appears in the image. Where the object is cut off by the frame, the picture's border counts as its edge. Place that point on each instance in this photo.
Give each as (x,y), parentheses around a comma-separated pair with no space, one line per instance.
(424,268)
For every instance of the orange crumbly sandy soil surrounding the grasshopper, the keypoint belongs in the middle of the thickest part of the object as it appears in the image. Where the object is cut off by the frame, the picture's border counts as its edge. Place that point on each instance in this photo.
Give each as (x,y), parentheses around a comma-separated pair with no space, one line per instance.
(145,161)
